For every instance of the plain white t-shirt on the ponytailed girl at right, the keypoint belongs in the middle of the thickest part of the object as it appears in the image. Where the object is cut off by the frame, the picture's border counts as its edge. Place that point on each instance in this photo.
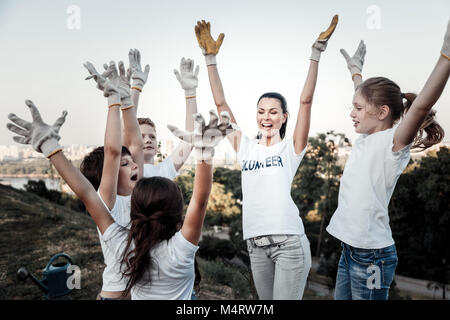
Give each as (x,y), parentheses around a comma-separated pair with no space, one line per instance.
(370,174)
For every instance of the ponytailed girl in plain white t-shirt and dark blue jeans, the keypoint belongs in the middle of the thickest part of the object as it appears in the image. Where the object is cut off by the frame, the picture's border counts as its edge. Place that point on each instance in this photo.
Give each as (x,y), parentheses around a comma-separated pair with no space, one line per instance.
(379,155)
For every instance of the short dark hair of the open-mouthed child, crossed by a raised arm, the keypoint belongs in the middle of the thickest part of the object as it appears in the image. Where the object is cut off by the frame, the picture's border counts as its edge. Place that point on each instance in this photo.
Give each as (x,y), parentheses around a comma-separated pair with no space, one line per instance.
(92,165)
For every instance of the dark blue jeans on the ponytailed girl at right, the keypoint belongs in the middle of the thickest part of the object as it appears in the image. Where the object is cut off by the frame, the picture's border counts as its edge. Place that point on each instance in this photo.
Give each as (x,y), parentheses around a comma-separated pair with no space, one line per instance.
(365,274)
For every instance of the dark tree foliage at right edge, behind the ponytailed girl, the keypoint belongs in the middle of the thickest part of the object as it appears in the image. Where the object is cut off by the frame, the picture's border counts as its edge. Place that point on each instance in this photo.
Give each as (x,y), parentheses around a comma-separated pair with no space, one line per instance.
(420,218)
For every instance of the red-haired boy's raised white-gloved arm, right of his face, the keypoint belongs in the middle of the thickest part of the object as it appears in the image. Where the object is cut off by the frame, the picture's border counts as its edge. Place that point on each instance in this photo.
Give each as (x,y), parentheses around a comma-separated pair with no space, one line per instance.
(189,81)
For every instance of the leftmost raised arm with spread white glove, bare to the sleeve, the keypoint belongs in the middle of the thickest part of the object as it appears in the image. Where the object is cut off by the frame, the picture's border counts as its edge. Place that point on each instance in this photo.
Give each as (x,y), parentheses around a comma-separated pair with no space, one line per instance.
(44,139)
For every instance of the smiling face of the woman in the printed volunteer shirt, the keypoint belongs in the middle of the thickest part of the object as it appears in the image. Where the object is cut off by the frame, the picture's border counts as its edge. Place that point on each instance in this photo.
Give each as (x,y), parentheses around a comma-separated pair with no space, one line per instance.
(270,117)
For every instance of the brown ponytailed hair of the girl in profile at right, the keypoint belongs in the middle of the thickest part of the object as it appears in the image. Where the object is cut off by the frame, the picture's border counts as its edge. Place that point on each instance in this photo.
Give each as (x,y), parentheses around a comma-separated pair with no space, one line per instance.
(379,91)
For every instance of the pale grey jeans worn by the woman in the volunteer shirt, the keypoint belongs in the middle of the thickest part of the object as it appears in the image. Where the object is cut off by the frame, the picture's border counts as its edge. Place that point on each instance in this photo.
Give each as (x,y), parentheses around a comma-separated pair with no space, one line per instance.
(280,270)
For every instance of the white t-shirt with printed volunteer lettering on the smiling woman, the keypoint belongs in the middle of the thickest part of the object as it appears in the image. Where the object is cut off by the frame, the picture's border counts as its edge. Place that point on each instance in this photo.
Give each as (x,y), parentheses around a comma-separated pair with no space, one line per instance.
(267,174)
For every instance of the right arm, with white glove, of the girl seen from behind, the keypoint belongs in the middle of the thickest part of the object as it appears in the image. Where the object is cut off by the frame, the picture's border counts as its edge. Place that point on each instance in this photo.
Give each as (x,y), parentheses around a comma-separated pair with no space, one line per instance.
(203,139)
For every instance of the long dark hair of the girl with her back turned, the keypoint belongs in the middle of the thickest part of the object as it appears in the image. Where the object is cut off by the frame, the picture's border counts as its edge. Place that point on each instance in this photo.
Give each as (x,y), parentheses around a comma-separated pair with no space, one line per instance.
(156,215)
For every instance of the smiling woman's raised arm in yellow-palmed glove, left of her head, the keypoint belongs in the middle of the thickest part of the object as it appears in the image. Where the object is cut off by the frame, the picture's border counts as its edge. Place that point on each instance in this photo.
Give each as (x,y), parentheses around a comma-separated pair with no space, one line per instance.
(210,48)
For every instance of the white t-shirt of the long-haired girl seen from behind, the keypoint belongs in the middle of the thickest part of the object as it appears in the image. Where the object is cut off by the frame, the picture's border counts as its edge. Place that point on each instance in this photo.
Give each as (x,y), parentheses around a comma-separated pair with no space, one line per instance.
(172,272)
